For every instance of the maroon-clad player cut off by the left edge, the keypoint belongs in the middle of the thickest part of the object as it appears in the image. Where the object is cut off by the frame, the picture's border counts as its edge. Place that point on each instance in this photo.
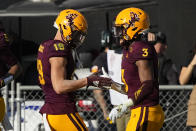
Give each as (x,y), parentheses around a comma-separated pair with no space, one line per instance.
(9,68)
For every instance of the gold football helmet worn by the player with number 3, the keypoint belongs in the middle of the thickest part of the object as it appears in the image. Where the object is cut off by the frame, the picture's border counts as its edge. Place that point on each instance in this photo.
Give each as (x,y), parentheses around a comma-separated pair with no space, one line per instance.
(131,22)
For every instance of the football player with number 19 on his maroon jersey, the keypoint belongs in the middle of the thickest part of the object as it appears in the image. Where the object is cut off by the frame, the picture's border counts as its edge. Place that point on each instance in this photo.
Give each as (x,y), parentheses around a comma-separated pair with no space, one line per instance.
(55,66)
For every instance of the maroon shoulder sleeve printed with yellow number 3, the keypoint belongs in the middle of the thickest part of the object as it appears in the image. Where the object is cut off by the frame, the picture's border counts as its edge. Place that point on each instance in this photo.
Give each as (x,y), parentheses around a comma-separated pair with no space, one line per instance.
(142,51)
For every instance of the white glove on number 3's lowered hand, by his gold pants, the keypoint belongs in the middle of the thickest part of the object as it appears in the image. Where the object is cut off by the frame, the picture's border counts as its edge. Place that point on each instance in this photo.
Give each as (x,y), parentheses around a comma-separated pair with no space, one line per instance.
(118,111)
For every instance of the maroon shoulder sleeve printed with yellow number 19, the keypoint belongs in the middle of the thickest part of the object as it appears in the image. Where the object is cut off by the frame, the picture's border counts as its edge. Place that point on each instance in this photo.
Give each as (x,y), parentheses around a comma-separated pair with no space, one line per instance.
(57,49)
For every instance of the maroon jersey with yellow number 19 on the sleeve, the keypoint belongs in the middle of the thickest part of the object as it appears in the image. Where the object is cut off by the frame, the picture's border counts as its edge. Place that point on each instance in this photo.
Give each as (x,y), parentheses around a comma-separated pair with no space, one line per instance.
(55,103)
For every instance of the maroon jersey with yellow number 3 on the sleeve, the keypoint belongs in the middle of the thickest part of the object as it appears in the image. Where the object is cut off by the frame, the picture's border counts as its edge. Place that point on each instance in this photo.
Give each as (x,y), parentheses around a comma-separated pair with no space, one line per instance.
(139,51)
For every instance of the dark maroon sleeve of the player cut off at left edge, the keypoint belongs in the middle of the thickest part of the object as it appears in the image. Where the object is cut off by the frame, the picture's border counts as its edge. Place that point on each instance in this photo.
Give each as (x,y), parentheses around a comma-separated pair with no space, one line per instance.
(7,57)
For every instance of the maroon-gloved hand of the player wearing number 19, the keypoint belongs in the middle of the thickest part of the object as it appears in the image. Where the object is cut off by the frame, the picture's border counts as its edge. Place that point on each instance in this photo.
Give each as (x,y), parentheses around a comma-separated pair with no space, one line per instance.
(98,81)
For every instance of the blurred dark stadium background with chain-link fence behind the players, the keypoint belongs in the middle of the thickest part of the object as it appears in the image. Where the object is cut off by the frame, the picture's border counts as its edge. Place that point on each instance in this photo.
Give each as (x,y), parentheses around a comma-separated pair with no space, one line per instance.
(28,22)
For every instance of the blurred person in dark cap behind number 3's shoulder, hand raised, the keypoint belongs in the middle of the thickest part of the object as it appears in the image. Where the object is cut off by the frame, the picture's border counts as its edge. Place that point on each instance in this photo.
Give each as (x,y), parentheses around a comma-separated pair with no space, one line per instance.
(168,74)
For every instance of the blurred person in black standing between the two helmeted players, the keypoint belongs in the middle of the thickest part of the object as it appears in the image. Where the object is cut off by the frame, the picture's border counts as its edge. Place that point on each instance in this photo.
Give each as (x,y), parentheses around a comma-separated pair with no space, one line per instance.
(108,43)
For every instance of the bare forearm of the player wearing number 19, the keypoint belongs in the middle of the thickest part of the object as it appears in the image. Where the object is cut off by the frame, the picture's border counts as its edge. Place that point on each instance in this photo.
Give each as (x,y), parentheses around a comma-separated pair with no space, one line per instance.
(64,86)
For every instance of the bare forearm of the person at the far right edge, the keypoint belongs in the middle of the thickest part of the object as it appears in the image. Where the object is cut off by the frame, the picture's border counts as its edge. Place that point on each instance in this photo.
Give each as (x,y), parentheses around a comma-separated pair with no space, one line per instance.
(185,74)
